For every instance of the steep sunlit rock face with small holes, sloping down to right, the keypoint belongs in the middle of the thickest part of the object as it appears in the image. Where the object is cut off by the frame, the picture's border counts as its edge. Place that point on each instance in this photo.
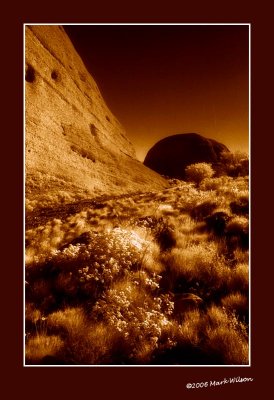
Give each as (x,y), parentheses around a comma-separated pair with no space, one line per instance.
(74,147)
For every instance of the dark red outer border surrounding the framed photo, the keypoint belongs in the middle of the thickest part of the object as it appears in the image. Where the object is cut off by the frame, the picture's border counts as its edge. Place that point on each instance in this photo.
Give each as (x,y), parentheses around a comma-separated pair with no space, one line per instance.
(128,382)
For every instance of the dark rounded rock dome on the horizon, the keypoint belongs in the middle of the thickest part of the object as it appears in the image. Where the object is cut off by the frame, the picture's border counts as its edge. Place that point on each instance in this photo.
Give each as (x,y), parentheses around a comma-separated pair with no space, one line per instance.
(171,155)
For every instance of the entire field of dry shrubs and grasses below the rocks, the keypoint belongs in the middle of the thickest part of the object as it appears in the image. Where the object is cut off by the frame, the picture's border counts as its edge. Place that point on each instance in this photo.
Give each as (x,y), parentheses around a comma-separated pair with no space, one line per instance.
(156,278)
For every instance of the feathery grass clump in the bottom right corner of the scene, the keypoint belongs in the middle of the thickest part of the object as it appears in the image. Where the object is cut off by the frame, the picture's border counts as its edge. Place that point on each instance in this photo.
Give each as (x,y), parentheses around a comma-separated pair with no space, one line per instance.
(212,337)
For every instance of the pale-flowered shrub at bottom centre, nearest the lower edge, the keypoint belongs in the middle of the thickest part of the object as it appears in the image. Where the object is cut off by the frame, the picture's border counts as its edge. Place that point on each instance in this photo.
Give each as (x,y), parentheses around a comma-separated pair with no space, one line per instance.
(130,309)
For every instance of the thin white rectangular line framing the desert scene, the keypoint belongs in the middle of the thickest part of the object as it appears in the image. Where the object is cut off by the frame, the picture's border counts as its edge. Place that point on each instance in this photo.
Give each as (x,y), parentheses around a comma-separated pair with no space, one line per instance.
(24,175)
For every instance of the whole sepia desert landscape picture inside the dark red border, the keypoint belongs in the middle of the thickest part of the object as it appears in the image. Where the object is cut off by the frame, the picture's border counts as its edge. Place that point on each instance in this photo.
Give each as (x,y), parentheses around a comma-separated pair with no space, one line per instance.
(136,195)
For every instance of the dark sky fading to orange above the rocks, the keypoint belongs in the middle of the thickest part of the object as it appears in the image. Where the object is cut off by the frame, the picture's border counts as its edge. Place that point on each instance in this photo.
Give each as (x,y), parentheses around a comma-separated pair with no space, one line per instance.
(160,80)
